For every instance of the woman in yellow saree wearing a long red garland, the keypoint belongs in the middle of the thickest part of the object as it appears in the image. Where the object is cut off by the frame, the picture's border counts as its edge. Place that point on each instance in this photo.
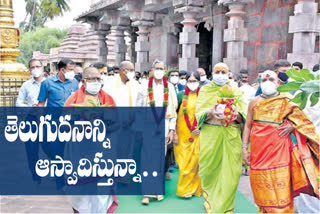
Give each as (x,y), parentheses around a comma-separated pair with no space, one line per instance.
(188,147)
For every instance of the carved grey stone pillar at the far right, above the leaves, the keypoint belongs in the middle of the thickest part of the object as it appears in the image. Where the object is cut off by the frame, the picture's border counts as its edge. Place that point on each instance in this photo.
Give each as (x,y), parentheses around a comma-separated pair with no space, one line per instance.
(305,25)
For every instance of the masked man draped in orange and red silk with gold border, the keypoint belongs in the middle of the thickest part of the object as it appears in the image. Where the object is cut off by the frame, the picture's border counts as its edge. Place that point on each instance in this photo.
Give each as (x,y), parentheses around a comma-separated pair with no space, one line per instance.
(284,149)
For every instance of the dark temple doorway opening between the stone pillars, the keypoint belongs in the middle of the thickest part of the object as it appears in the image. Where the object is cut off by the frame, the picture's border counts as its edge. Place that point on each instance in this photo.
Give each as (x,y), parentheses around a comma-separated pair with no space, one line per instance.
(204,48)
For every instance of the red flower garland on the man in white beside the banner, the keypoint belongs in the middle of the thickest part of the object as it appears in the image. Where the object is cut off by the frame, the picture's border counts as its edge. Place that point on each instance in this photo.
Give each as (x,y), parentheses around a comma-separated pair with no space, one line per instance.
(152,102)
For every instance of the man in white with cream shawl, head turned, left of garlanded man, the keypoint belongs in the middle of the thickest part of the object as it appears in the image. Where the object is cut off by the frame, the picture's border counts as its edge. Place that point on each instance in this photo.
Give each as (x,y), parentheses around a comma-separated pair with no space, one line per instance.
(124,89)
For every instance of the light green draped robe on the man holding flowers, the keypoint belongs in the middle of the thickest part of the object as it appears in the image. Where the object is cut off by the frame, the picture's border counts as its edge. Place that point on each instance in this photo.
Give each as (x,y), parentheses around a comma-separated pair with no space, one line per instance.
(220,160)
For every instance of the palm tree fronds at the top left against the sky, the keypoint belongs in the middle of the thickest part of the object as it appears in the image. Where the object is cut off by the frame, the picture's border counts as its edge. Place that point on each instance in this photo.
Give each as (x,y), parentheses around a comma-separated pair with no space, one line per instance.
(39,11)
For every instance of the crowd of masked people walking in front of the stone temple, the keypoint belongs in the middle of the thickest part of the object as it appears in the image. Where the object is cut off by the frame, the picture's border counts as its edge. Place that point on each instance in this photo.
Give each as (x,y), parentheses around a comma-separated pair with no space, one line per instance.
(284,141)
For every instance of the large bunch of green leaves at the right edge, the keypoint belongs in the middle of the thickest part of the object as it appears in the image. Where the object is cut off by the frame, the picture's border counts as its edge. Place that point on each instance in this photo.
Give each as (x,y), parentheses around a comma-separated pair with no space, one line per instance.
(306,83)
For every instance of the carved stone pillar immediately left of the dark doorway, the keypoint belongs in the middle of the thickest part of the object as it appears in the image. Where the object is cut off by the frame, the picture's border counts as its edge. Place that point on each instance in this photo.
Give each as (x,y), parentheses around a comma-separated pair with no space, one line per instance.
(189,37)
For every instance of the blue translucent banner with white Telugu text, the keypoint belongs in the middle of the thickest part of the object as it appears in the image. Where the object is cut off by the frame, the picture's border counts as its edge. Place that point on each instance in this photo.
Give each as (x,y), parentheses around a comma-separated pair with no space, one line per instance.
(82,151)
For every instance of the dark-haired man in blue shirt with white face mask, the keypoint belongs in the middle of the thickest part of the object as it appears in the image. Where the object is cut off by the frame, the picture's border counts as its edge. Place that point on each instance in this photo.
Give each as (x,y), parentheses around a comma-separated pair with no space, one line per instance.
(56,89)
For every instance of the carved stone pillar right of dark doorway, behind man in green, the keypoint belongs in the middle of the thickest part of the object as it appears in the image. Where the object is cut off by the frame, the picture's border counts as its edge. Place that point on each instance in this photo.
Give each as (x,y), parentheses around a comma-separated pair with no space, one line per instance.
(236,34)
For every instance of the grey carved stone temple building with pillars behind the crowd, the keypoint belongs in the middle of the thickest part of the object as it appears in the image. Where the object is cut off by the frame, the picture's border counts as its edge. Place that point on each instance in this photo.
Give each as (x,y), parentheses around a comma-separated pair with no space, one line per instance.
(245,34)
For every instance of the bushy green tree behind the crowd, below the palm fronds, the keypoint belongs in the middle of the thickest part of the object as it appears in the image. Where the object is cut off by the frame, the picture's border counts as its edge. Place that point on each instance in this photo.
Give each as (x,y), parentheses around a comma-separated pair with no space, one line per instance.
(42,39)
